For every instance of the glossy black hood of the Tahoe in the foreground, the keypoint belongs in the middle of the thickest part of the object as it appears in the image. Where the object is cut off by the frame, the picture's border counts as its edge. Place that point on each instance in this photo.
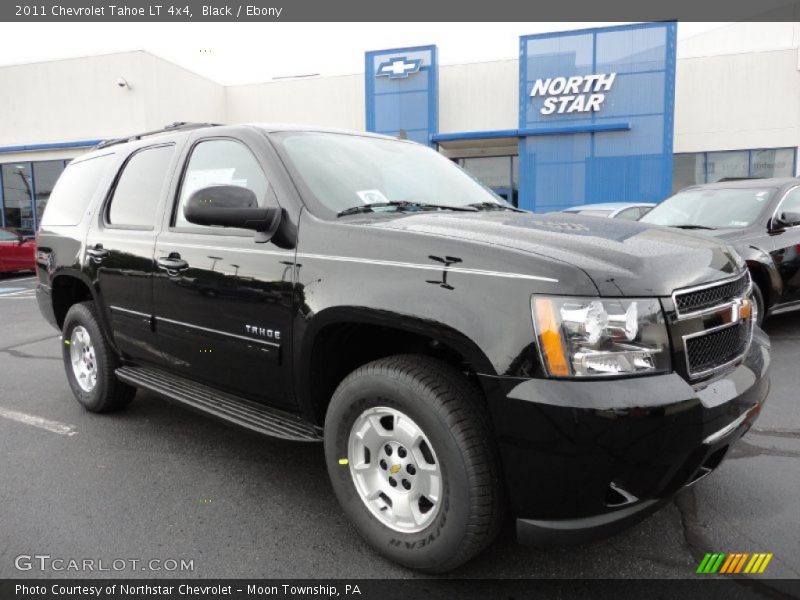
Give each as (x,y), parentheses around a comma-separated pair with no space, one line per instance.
(621,257)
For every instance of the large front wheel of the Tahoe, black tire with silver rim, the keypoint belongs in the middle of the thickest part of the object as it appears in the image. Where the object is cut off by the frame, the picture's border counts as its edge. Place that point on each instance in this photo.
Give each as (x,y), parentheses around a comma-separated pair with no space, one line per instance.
(447,410)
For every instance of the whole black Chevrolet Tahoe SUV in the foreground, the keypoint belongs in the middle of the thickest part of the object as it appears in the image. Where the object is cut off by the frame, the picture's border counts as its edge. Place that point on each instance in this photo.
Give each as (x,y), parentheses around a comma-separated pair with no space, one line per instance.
(459,358)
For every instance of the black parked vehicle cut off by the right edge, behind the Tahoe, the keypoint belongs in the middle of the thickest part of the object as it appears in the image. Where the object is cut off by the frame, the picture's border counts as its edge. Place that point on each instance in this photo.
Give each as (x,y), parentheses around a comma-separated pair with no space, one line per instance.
(760,218)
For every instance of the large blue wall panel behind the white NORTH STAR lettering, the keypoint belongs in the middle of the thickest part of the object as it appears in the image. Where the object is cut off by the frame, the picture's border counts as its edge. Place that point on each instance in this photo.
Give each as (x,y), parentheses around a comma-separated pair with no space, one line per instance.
(558,171)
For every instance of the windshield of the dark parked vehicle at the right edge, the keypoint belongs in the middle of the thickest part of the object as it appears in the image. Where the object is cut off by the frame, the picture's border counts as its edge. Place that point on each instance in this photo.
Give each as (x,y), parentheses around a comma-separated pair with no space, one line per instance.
(711,208)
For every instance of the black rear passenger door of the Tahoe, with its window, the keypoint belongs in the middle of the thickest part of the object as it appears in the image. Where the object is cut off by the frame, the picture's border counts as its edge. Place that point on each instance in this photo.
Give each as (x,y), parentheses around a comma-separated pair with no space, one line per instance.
(120,247)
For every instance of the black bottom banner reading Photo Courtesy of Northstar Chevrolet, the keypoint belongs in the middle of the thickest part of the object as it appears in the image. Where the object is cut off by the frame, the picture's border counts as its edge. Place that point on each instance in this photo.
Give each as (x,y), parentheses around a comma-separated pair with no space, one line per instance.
(733,588)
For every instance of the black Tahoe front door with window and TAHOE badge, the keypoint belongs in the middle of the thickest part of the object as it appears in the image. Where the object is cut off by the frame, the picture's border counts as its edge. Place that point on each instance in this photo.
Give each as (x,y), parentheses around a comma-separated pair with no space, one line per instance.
(223,302)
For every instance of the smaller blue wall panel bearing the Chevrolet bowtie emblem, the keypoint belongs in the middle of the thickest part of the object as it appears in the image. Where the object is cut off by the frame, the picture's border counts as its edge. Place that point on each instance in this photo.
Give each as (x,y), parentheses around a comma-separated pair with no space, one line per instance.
(401,86)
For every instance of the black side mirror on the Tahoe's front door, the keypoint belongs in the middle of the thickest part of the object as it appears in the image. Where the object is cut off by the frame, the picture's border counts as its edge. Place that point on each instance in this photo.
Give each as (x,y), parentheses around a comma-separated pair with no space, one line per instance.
(232,206)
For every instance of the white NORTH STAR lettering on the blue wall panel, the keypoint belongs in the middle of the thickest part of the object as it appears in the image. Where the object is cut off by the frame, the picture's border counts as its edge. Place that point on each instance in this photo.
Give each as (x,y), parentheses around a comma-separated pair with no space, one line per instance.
(581,93)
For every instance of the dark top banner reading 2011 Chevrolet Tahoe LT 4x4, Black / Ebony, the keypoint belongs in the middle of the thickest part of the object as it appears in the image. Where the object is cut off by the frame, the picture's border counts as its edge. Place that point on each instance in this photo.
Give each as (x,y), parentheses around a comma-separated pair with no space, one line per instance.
(402,11)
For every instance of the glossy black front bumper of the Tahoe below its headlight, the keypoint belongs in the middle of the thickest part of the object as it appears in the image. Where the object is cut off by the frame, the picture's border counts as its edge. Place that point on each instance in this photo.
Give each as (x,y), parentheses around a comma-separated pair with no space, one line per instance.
(583,459)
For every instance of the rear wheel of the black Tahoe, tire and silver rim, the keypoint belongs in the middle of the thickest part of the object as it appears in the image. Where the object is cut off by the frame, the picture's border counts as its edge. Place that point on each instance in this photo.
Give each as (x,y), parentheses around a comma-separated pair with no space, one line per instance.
(107,393)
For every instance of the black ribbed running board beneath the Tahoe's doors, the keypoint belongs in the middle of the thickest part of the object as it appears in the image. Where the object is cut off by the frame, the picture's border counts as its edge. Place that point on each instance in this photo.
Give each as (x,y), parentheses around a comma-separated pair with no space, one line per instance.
(227,407)
